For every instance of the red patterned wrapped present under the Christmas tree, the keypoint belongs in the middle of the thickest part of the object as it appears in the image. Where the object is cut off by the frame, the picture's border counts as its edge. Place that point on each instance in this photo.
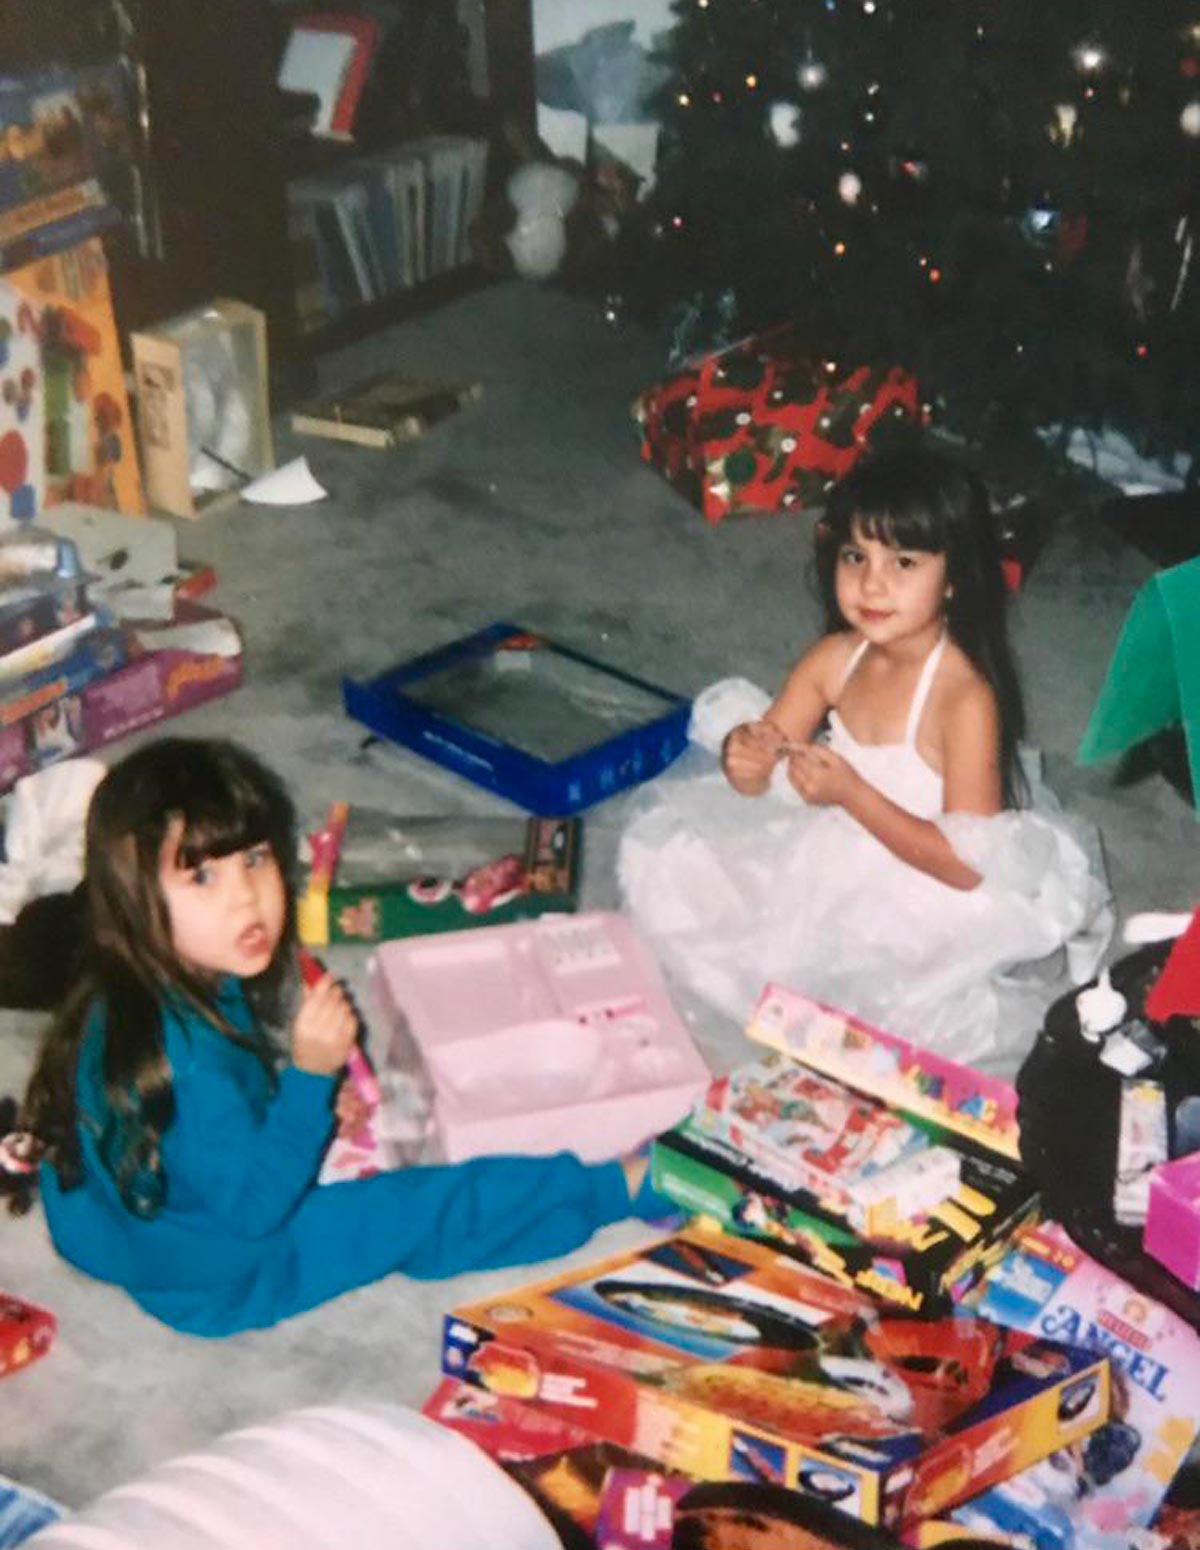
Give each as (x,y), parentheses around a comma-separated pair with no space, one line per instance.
(764,427)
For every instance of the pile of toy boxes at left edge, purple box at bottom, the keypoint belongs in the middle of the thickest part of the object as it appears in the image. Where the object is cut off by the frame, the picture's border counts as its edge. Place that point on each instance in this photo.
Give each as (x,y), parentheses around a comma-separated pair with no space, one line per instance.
(74,675)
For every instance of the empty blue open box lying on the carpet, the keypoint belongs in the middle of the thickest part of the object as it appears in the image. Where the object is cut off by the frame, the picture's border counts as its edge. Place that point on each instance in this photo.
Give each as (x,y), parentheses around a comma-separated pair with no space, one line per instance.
(528,718)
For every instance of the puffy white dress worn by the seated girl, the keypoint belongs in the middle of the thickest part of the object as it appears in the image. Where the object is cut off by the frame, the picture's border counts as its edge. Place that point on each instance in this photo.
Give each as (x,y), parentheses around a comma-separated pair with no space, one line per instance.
(734,892)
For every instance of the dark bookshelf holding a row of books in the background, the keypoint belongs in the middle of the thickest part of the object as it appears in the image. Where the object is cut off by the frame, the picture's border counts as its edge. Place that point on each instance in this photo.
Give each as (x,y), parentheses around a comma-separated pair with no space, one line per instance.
(235,193)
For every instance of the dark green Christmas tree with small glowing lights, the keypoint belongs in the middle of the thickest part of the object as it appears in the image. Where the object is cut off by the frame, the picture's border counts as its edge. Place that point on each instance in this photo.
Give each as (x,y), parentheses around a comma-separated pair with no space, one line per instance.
(998,195)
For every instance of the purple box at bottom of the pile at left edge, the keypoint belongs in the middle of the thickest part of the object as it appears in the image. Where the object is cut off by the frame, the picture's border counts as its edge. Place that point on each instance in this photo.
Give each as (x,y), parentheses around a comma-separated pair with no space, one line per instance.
(153,686)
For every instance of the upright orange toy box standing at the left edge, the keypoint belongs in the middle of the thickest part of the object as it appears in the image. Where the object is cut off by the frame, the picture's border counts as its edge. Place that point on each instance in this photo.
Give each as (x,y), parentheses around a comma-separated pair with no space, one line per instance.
(64,415)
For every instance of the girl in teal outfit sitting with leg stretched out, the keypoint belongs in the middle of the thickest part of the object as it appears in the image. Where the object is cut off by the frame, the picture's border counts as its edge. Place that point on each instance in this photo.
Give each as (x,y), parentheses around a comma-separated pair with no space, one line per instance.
(179,1151)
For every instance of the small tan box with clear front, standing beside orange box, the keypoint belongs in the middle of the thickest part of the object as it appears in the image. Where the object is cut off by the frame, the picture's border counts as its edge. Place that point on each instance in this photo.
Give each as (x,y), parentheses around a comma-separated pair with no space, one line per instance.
(204,413)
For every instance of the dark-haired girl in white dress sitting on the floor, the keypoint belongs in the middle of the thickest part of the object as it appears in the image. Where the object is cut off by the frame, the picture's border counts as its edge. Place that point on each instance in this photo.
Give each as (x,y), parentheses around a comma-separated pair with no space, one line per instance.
(866,841)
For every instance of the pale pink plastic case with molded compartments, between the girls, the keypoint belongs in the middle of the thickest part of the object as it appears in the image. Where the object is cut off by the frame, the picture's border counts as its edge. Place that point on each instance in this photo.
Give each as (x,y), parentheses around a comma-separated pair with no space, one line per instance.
(543,1036)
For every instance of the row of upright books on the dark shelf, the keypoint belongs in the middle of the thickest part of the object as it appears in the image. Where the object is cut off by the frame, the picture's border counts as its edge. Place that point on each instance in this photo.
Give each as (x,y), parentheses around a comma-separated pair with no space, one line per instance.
(382,224)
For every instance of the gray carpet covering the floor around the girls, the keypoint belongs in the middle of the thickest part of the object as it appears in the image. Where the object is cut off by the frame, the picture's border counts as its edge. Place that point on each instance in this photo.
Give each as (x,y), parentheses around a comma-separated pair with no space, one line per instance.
(531,506)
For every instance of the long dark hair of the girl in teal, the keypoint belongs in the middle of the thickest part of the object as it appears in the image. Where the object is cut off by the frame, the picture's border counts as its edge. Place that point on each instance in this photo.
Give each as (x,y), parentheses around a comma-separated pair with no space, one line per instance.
(224,801)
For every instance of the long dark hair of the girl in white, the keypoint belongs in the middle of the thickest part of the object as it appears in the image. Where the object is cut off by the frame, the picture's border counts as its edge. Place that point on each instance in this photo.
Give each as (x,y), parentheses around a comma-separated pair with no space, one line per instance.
(916,498)
